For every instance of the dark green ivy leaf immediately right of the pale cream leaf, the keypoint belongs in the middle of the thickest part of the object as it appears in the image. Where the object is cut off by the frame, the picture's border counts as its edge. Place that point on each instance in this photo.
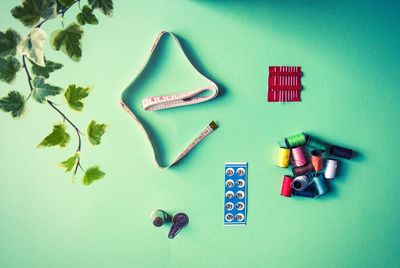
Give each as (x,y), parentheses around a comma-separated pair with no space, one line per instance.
(68,41)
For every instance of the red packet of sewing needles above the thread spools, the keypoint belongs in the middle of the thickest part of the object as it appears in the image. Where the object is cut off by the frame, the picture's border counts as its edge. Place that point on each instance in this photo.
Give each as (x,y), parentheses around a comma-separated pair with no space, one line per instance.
(284,84)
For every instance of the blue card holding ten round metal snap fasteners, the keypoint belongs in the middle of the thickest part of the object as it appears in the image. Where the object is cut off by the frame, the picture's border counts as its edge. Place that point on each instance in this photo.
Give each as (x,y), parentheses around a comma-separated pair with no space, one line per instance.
(235,194)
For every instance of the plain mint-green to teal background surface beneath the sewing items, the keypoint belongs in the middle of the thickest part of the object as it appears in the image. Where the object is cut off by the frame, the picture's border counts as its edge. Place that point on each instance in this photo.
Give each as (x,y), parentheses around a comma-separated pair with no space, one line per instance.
(349,51)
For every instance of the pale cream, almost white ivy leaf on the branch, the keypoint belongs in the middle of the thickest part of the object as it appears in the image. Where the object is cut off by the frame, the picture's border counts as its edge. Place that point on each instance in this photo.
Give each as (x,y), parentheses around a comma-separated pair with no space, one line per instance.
(32,46)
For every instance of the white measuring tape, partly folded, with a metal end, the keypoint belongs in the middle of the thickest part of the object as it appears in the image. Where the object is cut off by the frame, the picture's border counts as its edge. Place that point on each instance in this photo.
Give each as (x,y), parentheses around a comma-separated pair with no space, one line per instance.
(190,97)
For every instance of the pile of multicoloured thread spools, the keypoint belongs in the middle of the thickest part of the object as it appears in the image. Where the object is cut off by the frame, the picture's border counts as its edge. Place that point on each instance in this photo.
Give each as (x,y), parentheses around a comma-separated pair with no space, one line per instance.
(309,178)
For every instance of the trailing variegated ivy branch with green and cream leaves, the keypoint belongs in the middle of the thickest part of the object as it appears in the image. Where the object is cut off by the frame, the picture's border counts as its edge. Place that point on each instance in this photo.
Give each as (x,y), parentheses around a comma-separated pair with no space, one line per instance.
(34,14)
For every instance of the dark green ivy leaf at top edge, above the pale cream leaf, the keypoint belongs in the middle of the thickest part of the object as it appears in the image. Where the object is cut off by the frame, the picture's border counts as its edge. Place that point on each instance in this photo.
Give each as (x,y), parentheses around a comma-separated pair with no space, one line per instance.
(32,10)
